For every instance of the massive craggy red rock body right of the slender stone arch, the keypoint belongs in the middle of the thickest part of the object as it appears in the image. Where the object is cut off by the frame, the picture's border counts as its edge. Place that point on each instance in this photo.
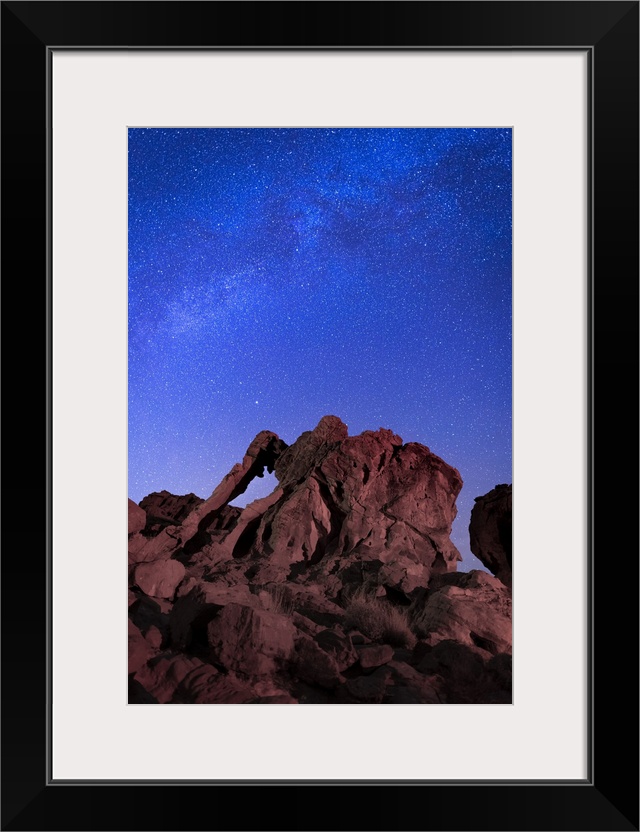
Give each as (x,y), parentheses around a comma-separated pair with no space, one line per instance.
(358,505)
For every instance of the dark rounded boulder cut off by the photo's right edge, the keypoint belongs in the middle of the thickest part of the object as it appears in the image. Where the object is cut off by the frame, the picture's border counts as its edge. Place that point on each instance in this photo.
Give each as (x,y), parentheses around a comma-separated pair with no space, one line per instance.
(490,531)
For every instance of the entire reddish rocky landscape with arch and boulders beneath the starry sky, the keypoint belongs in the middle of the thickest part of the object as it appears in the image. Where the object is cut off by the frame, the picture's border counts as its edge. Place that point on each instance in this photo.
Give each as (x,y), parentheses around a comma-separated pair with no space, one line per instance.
(339,587)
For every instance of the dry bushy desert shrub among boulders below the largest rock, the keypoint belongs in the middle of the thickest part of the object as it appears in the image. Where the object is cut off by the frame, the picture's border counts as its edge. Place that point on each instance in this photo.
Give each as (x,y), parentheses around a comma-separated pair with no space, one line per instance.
(378,619)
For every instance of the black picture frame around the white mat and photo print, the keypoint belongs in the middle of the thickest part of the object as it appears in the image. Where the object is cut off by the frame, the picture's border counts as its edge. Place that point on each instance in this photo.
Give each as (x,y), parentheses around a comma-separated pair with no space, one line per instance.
(608,799)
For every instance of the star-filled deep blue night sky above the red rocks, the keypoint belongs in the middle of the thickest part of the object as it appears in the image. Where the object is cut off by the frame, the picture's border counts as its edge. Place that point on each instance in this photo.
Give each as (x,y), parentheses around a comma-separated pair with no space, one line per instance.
(276,276)
